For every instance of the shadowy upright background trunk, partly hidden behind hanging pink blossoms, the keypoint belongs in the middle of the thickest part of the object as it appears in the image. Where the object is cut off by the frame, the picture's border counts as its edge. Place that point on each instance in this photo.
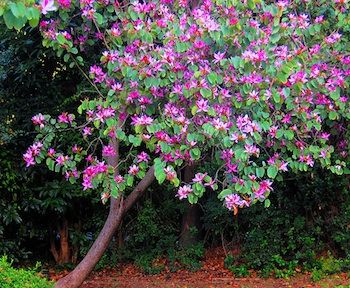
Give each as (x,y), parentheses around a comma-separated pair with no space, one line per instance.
(191,218)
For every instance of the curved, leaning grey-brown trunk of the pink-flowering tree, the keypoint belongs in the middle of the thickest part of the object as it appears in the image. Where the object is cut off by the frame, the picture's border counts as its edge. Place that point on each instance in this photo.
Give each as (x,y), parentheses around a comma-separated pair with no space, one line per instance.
(117,210)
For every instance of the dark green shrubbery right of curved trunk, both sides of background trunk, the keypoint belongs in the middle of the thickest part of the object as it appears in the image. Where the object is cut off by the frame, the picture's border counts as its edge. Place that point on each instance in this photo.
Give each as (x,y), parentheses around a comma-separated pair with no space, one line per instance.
(305,228)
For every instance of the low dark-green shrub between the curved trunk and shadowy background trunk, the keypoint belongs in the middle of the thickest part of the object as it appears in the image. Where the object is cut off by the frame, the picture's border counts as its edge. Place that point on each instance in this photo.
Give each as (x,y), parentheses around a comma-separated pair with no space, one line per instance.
(150,240)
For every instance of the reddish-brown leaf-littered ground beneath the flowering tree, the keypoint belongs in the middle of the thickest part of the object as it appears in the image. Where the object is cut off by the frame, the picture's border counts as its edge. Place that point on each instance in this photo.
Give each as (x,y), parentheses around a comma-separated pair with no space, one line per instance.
(213,274)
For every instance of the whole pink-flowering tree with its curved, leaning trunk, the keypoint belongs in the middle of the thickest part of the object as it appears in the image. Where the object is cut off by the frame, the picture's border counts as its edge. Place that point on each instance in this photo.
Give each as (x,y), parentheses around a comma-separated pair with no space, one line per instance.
(257,88)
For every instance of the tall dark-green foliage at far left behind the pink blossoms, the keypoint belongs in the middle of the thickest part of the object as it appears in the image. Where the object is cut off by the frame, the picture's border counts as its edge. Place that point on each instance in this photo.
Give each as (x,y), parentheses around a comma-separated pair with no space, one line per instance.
(29,71)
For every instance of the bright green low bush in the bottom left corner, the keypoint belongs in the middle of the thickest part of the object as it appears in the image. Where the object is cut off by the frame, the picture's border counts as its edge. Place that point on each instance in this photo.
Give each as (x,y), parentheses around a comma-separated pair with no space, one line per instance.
(20,278)
